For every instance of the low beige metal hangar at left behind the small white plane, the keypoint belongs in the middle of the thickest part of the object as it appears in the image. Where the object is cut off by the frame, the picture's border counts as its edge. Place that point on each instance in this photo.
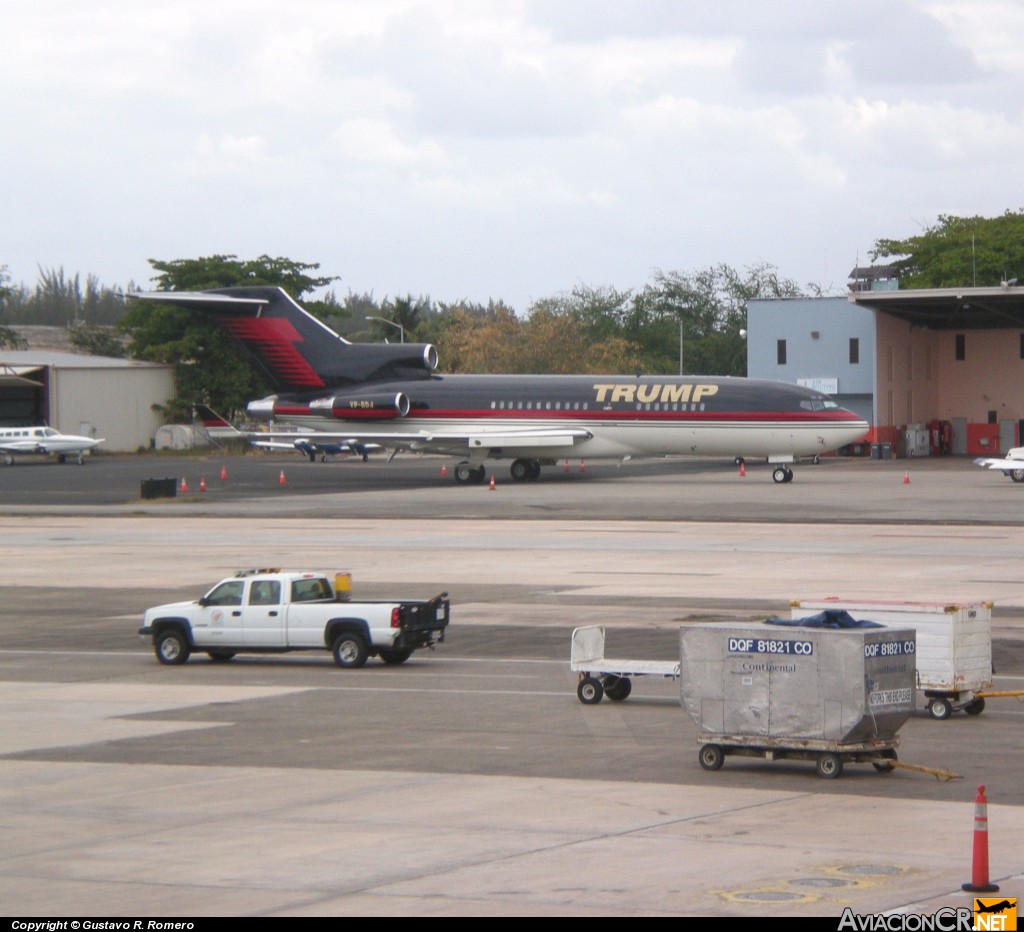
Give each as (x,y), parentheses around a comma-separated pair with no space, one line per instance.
(96,397)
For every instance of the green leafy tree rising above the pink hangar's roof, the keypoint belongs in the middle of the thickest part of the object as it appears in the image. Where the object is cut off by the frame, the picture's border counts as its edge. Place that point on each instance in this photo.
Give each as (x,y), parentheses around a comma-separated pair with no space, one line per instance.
(959,251)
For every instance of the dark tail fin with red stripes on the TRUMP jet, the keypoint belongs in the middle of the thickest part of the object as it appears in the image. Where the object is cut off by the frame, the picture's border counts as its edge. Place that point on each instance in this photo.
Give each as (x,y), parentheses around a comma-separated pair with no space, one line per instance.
(292,350)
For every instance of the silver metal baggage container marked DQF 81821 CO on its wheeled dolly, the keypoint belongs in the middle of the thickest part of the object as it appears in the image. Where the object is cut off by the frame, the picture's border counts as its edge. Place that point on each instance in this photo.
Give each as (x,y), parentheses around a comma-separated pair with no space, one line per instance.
(830,697)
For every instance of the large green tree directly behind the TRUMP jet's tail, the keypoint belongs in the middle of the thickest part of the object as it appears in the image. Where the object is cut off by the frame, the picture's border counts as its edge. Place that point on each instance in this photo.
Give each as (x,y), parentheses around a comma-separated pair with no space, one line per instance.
(208,367)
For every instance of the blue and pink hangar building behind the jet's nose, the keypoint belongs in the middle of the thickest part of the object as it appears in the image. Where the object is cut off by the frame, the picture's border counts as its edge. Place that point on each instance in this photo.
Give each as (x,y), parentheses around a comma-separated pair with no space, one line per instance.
(933,371)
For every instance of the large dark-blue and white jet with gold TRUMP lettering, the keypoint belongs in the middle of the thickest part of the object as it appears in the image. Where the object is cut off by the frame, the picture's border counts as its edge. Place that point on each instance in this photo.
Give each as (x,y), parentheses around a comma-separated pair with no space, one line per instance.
(391,396)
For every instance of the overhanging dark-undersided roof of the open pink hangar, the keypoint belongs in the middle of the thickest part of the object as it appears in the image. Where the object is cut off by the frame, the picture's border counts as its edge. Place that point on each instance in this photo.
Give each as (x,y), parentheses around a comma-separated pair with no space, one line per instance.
(951,309)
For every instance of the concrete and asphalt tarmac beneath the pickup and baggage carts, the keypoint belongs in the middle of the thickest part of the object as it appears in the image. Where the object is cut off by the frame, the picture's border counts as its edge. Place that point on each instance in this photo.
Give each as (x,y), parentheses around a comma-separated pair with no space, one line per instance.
(472,781)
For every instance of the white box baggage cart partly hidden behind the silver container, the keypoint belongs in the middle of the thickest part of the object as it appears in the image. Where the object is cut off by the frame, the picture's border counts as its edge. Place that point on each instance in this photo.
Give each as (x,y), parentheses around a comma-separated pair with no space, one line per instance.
(955,647)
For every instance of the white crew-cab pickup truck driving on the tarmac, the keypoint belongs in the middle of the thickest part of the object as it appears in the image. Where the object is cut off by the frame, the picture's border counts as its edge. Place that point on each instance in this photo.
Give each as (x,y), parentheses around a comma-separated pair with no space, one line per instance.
(270,612)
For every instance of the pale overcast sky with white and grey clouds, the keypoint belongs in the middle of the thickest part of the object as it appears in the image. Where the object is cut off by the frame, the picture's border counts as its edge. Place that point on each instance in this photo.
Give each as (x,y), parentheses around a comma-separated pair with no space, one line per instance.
(514,150)
